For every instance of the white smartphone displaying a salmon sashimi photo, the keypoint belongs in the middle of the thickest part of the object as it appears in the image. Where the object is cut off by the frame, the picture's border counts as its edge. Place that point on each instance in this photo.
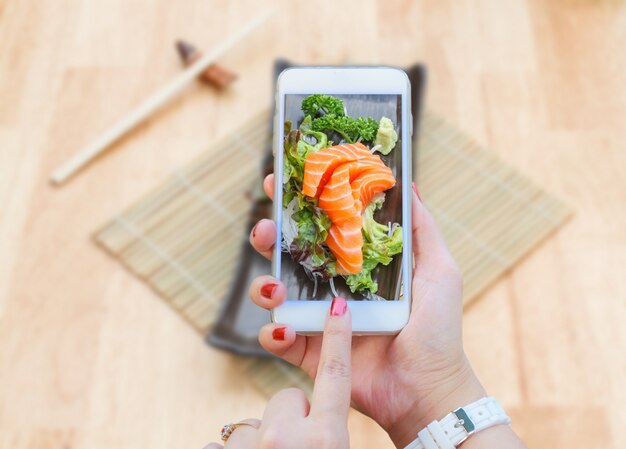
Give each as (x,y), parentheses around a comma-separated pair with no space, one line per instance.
(342,196)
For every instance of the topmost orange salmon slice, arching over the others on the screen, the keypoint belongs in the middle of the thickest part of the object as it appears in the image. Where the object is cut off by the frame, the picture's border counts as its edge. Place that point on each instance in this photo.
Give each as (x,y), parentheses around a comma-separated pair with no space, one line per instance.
(319,166)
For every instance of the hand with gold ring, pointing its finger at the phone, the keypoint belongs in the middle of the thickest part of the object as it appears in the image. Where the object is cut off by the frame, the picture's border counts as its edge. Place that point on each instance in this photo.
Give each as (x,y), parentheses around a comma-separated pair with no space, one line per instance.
(289,420)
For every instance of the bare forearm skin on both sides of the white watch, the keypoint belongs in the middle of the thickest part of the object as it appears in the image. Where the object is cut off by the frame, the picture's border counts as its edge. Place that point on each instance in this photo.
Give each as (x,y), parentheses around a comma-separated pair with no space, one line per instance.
(437,405)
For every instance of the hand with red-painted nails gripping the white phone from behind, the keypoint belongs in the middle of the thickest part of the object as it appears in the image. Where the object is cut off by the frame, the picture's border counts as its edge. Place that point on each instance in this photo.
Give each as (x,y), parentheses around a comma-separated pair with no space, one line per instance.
(403,381)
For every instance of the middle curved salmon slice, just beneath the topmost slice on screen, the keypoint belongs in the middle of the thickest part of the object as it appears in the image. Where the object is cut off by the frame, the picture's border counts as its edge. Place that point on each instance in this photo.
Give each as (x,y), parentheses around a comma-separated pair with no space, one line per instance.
(338,198)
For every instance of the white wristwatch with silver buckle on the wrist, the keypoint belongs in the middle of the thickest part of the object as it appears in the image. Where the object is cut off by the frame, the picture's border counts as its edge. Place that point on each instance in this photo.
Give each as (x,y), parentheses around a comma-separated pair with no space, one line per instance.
(457,426)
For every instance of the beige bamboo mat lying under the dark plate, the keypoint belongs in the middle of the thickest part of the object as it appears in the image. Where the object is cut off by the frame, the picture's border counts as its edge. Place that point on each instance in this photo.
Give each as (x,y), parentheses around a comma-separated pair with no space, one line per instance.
(183,239)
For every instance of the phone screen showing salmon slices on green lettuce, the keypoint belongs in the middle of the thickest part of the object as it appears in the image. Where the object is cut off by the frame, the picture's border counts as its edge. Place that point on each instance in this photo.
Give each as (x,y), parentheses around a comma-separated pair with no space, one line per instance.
(341,215)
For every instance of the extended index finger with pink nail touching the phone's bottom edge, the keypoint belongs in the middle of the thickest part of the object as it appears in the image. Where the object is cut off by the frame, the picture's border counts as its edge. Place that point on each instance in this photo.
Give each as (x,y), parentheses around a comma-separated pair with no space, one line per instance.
(331,393)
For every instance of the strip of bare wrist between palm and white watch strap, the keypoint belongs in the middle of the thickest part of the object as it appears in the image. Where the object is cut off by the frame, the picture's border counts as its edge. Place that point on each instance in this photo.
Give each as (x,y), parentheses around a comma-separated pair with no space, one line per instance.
(460,388)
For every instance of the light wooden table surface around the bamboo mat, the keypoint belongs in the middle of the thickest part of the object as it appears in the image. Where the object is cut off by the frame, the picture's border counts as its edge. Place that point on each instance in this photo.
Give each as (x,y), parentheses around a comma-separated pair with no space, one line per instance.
(90,358)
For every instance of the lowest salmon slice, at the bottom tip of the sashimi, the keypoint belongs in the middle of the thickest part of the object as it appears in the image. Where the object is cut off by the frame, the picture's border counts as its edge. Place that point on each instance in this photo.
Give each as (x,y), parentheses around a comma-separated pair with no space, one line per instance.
(345,241)
